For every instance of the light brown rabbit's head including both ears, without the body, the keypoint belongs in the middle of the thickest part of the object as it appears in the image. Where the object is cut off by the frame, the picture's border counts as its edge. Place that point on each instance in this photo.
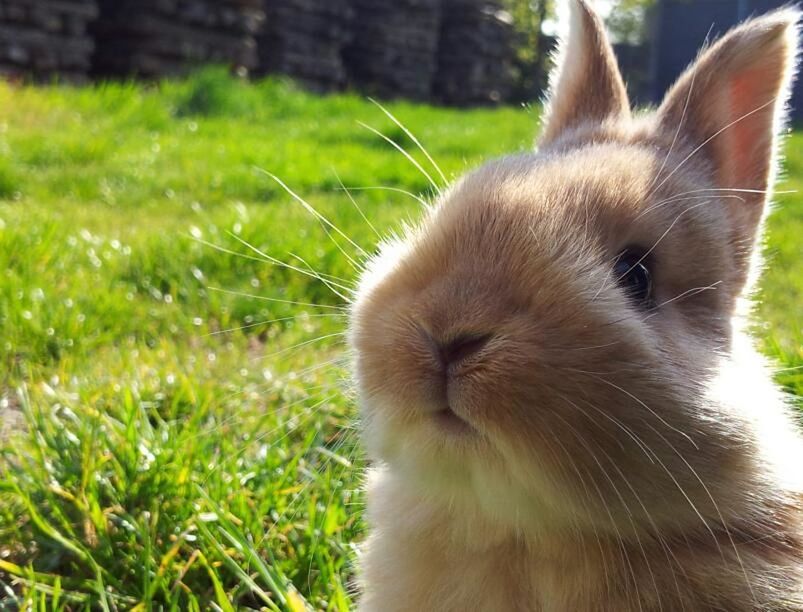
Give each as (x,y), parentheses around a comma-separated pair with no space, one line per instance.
(544,348)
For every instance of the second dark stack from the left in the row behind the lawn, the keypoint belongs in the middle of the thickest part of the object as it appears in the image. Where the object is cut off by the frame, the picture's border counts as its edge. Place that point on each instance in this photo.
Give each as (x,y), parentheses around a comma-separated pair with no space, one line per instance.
(153,38)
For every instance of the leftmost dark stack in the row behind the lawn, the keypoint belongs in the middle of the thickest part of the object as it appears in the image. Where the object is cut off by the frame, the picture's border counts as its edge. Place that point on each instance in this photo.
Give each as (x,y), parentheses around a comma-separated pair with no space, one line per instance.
(46,38)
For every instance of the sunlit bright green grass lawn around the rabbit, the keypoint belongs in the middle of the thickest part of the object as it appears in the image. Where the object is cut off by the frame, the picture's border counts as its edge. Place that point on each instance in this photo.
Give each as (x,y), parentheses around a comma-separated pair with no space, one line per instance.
(165,462)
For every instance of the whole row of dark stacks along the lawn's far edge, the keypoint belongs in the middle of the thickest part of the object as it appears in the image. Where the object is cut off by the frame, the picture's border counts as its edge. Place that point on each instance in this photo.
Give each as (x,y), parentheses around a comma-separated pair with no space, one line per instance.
(455,51)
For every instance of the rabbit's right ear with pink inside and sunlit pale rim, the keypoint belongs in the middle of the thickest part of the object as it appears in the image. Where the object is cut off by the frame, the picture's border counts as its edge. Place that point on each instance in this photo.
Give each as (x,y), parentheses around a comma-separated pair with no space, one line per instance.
(729,107)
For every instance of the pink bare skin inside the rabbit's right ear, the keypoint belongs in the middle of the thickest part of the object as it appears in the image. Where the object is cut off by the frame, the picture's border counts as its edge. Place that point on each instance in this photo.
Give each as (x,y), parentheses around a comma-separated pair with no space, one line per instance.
(751,131)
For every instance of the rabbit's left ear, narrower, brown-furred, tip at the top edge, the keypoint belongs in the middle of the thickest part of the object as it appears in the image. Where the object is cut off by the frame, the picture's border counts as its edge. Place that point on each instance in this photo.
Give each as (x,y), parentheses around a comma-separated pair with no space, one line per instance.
(585,85)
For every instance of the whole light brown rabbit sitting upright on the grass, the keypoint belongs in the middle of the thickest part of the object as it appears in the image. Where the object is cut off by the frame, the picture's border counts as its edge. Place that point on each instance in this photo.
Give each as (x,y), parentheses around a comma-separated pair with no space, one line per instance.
(559,397)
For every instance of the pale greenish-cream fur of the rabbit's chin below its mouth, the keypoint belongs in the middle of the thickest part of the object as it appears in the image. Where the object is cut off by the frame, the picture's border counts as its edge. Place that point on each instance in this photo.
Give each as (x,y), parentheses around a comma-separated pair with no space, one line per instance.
(456,467)
